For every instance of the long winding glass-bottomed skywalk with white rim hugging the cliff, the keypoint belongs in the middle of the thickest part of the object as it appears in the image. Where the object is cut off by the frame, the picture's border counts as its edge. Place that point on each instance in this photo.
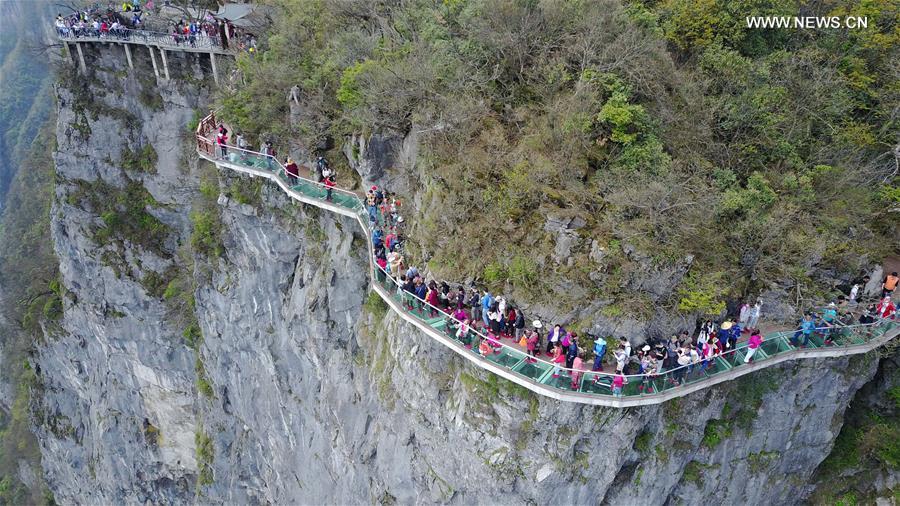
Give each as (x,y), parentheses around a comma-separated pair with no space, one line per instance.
(509,360)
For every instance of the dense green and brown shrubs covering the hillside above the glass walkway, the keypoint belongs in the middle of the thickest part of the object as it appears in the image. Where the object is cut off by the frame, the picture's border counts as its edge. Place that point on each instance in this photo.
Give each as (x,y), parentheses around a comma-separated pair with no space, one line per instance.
(717,142)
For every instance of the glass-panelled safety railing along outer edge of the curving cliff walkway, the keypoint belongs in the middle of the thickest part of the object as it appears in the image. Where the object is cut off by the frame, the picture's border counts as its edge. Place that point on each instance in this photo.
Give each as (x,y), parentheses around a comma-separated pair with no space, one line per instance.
(534,372)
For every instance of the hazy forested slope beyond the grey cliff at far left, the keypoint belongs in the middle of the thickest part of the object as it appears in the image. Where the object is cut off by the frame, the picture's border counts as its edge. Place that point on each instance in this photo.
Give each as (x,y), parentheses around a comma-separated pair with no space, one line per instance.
(33,300)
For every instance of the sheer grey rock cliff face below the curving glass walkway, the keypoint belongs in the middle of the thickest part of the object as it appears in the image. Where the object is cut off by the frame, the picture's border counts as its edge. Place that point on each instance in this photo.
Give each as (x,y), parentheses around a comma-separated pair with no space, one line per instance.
(302,388)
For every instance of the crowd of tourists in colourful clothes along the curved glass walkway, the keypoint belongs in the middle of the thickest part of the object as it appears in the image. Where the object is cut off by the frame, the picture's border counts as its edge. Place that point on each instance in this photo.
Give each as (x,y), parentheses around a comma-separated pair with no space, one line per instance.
(482,321)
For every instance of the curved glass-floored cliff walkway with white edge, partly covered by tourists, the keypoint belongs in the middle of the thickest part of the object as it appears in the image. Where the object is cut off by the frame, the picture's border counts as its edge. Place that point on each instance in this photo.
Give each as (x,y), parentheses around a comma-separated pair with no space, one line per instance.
(484,347)
